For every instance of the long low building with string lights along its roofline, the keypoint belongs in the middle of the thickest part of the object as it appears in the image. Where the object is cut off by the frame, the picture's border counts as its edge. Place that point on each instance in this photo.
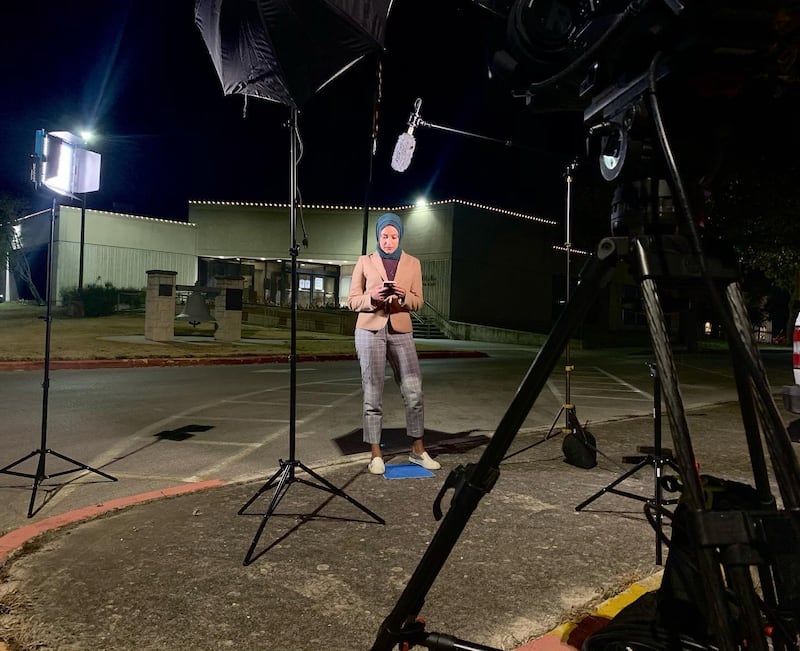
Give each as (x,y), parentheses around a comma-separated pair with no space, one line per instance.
(481,265)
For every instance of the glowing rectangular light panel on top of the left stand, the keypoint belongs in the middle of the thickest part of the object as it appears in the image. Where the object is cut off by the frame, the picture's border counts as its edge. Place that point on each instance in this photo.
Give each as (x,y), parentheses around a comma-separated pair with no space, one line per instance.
(64,164)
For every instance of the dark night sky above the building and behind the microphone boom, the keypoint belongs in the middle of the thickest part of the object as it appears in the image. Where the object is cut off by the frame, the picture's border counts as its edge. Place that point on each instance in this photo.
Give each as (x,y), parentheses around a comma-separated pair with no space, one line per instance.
(138,73)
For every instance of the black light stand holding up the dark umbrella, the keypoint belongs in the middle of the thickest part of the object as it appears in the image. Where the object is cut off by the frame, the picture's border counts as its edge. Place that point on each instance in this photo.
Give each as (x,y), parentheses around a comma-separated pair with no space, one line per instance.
(286,475)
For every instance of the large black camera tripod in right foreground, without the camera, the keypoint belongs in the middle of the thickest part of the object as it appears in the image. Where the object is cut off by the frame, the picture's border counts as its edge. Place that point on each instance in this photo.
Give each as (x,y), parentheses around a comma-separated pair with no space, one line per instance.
(726,600)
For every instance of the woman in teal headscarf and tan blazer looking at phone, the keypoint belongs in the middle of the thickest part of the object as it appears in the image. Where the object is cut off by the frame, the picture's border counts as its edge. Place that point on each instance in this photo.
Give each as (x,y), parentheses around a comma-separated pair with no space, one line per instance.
(387,286)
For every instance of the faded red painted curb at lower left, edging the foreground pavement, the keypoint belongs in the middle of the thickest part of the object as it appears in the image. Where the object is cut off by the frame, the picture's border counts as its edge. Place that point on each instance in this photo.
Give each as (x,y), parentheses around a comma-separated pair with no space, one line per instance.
(14,540)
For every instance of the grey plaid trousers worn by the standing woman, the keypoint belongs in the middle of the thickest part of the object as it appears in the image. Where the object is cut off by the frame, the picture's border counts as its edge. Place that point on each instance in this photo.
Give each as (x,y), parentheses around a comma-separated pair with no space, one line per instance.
(374,349)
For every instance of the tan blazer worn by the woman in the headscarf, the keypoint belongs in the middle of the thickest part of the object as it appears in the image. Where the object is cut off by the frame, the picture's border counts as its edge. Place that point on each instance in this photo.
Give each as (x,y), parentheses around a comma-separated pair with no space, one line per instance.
(368,273)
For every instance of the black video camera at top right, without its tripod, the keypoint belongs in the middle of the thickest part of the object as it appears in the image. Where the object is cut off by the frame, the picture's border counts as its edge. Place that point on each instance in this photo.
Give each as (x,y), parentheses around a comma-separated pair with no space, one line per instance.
(564,54)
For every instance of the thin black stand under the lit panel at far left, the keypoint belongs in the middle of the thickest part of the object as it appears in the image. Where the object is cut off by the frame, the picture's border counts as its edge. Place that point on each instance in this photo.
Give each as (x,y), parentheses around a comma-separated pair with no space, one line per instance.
(41,471)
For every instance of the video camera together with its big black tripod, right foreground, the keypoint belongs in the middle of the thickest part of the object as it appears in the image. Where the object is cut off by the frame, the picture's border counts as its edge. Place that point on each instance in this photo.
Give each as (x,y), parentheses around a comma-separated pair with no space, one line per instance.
(731,578)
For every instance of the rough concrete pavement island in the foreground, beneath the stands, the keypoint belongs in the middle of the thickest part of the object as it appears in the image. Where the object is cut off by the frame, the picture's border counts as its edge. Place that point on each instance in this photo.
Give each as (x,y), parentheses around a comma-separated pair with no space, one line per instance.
(169,573)
